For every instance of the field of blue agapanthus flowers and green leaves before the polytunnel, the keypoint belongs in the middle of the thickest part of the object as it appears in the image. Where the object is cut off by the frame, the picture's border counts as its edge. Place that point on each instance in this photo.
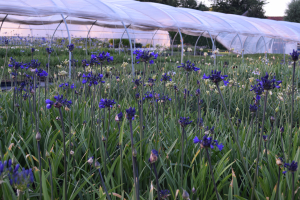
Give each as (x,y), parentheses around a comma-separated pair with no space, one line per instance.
(195,130)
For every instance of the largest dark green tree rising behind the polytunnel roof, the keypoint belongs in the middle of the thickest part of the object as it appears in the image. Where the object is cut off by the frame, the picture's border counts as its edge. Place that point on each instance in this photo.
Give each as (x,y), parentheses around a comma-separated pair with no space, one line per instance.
(250,8)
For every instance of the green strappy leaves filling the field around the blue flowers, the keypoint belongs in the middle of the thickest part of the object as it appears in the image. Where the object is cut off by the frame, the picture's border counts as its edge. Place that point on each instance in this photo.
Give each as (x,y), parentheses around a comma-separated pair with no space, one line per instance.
(18,141)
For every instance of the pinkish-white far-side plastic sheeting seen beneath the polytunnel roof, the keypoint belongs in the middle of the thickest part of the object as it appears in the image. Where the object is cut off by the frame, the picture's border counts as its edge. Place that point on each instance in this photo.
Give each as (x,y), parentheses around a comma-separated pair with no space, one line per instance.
(81,31)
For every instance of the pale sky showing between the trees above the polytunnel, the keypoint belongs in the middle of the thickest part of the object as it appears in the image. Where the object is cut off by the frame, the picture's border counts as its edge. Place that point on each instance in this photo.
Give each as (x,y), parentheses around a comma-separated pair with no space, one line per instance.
(273,8)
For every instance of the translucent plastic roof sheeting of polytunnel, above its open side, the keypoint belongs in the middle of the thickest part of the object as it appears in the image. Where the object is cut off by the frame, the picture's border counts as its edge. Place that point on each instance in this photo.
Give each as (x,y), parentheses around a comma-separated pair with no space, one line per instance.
(150,17)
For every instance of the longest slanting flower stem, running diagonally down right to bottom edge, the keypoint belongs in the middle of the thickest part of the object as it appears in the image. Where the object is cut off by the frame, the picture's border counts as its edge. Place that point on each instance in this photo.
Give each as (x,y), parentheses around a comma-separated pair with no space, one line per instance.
(235,138)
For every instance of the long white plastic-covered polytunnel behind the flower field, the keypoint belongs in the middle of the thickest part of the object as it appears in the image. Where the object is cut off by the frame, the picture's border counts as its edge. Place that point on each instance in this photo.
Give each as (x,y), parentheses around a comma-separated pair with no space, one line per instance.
(144,22)
